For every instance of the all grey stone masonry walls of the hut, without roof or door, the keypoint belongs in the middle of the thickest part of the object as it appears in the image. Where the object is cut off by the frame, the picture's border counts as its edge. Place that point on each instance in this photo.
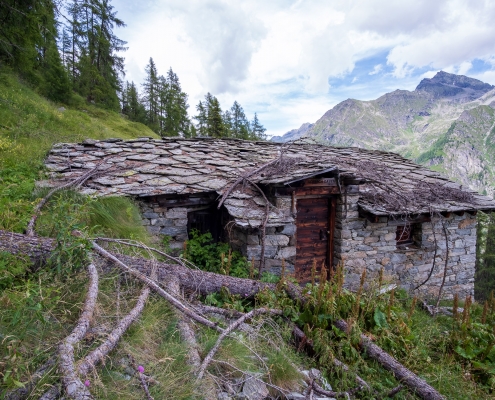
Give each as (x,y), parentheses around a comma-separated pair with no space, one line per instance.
(358,244)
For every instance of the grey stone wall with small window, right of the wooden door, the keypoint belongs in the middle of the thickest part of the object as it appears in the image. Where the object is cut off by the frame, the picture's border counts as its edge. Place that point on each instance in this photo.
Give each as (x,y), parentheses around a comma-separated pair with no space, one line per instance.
(361,244)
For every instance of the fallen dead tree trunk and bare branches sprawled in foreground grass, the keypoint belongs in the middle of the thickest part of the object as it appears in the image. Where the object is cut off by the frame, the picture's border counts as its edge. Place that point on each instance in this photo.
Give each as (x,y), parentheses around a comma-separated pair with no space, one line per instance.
(202,282)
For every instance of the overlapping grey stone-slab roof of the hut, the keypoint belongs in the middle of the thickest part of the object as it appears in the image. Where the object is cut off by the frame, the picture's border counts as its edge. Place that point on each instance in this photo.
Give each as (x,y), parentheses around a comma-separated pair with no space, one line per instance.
(149,167)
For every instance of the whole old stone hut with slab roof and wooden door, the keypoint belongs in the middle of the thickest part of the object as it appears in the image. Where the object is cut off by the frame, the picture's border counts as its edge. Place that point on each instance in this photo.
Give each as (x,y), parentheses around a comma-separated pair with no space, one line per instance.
(366,209)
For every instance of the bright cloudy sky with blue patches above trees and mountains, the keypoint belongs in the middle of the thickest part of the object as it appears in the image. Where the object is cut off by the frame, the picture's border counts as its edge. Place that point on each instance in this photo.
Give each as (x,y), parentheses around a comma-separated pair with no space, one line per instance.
(292,60)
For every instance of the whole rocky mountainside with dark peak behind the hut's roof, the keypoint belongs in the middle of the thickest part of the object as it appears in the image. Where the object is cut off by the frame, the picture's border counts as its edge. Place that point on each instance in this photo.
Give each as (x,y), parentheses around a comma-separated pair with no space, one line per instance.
(447,123)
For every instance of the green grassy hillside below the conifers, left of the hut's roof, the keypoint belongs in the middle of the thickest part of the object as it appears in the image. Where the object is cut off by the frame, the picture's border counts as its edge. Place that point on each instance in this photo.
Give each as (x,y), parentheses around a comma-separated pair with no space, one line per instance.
(29,126)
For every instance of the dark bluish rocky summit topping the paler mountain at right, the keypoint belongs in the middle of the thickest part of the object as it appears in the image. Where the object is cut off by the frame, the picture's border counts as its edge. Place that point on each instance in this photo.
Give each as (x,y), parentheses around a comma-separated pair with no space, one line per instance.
(444,84)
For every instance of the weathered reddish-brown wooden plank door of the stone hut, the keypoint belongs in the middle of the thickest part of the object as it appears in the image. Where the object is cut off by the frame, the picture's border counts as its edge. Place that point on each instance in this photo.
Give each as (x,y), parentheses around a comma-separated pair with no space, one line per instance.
(314,238)
